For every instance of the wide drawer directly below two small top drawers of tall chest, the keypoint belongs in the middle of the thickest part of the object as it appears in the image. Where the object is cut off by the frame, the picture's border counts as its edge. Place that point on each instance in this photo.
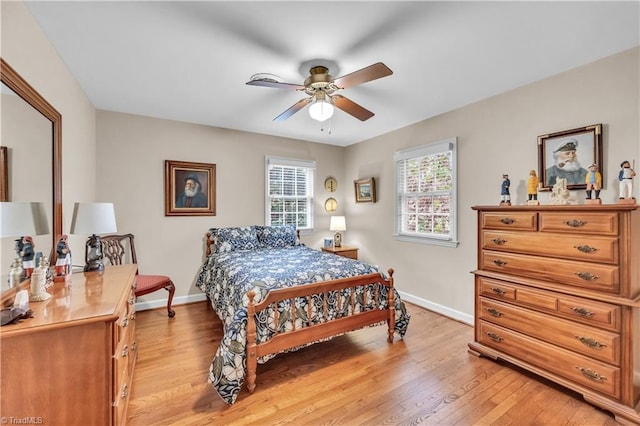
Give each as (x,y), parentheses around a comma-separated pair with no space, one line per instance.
(576,247)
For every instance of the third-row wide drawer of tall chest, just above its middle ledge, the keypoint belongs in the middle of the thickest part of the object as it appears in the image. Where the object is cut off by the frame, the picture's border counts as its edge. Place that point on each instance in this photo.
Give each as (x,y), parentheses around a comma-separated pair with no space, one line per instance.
(595,276)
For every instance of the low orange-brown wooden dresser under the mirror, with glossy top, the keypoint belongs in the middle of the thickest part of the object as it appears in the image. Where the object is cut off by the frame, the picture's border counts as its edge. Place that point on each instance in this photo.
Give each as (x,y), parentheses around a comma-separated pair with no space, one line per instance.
(73,362)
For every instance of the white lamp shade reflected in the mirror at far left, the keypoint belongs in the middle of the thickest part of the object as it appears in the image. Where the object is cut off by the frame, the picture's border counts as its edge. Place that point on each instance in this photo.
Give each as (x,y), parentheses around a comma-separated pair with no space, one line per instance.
(20,219)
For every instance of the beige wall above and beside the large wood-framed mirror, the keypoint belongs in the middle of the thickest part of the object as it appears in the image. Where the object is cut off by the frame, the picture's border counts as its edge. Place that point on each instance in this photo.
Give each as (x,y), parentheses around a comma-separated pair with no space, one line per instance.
(25,47)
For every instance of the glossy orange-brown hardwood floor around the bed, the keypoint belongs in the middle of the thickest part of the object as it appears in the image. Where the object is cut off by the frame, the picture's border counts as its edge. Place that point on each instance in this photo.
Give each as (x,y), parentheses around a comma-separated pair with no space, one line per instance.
(428,378)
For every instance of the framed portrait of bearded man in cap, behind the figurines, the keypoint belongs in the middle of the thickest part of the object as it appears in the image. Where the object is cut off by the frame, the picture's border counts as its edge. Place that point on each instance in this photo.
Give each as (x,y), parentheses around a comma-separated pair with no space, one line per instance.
(569,154)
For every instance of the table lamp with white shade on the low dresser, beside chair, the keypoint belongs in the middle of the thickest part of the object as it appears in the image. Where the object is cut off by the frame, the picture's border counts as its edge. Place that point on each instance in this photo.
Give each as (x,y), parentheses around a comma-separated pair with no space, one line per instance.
(92,219)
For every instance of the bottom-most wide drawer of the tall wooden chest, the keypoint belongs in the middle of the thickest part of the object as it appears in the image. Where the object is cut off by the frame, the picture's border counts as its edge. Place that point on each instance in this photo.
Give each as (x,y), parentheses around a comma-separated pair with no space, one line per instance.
(580,369)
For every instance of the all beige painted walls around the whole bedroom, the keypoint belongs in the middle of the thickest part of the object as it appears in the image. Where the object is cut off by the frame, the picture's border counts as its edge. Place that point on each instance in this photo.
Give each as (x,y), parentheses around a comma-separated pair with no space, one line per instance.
(495,135)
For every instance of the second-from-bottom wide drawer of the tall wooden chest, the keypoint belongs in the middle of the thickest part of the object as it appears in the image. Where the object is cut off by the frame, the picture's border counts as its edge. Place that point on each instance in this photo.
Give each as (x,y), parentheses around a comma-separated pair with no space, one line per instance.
(589,341)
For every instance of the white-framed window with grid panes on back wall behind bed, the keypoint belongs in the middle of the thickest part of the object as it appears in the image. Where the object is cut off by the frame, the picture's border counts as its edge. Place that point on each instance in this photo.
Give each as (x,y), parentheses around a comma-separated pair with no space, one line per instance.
(289,192)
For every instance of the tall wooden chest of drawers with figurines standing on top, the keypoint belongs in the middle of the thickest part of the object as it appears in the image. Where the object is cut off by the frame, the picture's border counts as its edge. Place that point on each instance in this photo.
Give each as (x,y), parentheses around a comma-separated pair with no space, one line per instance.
(557,292)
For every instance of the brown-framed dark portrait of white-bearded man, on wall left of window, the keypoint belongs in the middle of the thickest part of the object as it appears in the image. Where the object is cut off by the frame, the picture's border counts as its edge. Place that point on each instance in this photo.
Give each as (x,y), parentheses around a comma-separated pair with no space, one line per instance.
(190,189)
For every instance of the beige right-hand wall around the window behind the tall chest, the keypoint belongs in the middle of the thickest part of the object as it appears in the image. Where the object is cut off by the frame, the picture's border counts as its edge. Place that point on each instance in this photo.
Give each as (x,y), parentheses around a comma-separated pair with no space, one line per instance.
(495,136)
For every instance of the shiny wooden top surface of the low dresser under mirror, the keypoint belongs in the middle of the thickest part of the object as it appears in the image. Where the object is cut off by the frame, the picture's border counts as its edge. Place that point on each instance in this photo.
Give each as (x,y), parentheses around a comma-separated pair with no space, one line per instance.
(88,296)
